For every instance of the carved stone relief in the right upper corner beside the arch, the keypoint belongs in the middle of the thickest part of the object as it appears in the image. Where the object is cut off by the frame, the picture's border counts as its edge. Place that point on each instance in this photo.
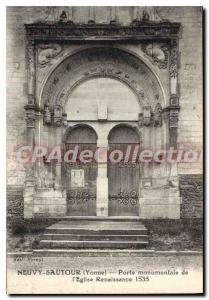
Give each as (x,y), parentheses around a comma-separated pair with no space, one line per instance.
(157,53)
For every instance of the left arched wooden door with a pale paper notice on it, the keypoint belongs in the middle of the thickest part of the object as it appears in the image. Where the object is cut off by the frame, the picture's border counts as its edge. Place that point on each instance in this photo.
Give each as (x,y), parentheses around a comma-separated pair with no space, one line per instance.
(80,178)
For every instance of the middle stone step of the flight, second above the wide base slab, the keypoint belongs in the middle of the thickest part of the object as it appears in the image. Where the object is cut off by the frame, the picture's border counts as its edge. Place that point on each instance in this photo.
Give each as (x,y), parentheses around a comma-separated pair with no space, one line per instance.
(92,237)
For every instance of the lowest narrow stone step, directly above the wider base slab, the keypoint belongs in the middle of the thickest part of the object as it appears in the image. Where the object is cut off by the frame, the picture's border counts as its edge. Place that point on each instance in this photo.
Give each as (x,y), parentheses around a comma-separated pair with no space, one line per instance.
(56,244)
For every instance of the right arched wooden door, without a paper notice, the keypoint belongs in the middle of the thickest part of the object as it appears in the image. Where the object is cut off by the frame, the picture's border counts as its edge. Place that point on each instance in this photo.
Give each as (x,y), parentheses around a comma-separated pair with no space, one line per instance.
(123,177)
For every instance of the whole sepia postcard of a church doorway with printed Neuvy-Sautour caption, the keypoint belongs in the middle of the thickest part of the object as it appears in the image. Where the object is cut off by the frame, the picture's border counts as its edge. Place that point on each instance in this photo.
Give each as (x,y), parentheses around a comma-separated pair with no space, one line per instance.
(104,150)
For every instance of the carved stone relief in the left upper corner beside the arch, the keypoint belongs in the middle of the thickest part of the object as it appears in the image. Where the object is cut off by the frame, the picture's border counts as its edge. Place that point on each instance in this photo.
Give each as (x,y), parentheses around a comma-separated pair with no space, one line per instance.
(46,52)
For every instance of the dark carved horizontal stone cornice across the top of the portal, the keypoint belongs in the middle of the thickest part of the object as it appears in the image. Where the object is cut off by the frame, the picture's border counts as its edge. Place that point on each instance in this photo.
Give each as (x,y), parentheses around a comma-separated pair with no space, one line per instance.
(67,31)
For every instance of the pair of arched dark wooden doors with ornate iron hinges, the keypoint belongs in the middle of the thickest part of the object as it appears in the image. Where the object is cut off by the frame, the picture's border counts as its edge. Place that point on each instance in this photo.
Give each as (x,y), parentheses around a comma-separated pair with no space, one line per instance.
(123,176)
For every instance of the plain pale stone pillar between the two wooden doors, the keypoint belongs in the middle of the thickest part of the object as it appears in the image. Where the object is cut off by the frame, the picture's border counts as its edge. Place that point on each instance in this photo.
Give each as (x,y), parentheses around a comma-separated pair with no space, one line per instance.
(102,180)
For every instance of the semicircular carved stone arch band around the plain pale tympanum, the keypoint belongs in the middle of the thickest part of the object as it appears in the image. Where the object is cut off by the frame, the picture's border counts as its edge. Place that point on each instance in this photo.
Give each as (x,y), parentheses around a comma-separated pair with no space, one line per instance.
(101,62)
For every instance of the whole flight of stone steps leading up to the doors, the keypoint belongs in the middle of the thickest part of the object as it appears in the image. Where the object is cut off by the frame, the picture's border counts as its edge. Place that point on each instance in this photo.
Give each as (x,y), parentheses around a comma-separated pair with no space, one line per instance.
(95,233)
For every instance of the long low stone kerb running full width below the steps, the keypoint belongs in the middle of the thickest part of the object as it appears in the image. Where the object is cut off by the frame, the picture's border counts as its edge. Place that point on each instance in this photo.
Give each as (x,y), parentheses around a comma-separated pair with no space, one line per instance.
(106,252)
